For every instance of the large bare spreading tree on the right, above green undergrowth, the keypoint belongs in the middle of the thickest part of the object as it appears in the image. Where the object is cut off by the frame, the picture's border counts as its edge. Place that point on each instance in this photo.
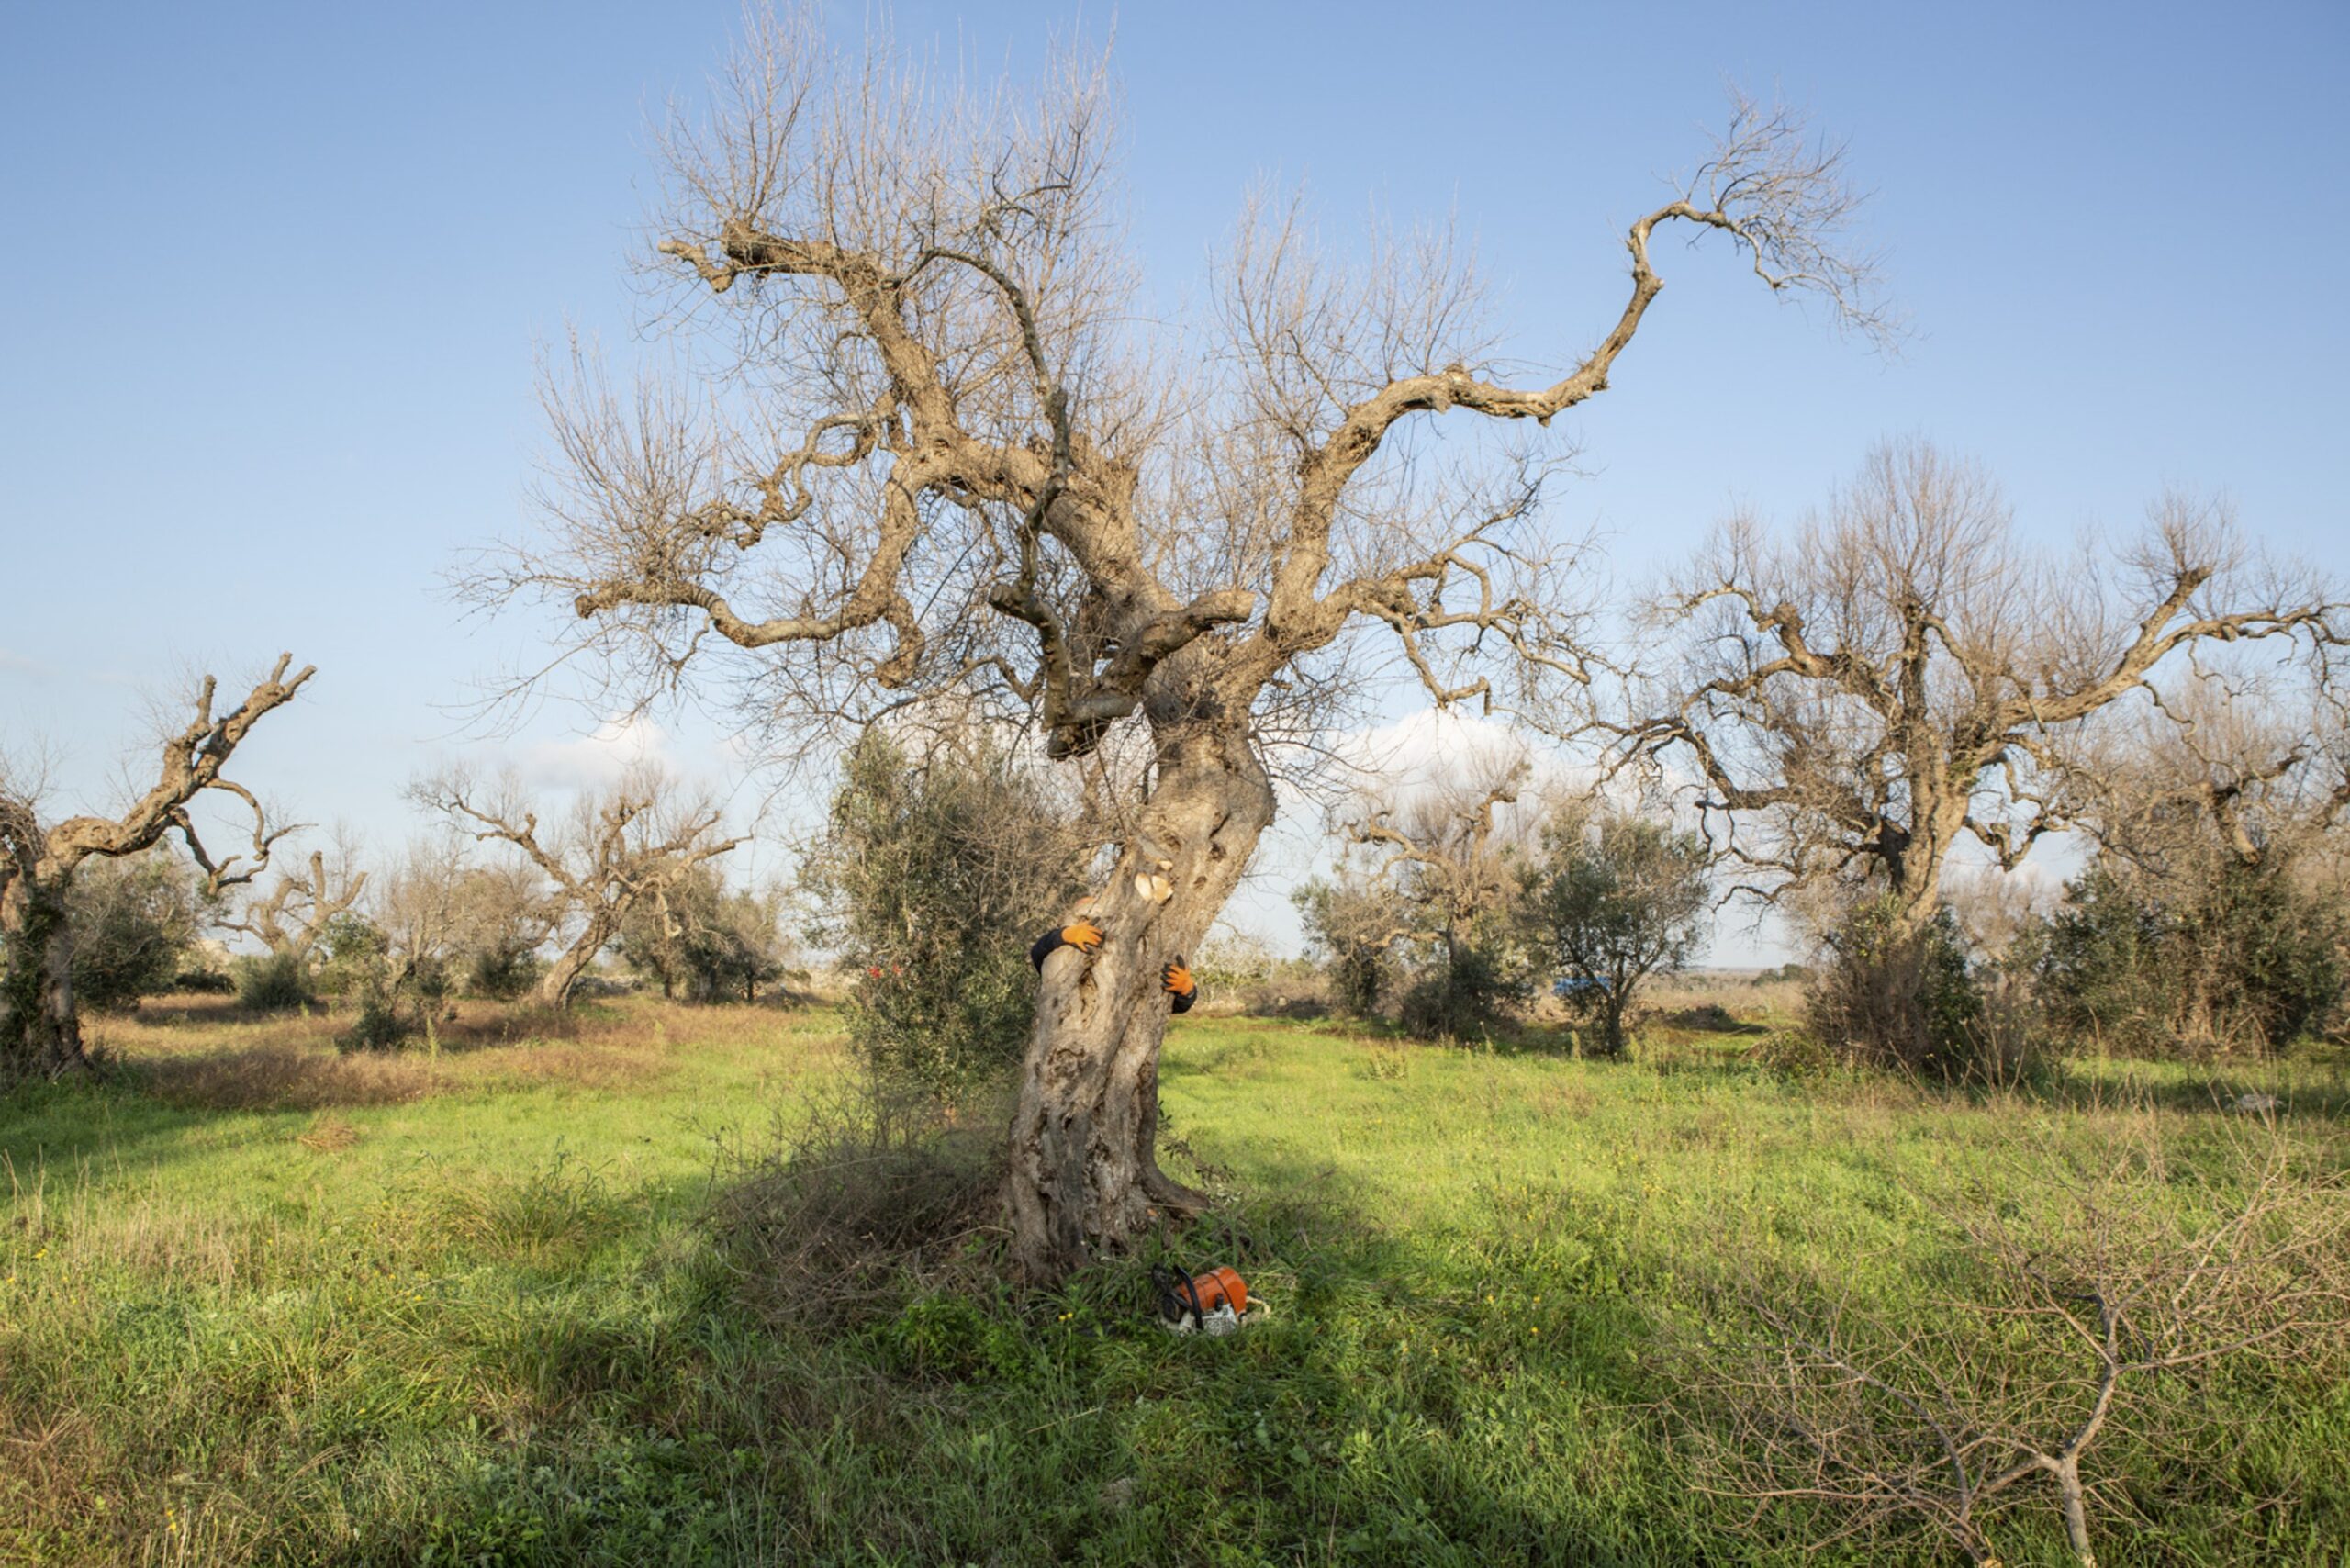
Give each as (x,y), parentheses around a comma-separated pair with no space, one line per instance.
(1900,674)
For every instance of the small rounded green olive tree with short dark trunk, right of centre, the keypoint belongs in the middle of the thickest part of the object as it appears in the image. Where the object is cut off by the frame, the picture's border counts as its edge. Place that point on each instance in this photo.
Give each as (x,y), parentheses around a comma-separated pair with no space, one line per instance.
(1613,902)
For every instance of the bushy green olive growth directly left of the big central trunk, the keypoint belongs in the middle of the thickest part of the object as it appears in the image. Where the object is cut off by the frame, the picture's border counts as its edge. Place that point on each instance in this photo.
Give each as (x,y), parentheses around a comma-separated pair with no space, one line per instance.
(934,876)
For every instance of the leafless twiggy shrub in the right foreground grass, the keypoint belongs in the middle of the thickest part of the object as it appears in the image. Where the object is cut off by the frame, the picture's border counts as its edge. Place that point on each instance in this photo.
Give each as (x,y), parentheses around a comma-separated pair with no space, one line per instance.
(2111,1308)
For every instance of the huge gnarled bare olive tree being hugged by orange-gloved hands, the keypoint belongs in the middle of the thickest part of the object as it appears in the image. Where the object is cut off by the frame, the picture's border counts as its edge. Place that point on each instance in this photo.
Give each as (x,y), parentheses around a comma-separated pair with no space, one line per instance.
(946,460)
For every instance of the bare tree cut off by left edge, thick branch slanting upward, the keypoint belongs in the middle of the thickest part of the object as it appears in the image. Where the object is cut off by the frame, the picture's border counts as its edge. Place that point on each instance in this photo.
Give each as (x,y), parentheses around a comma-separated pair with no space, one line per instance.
(41,1028)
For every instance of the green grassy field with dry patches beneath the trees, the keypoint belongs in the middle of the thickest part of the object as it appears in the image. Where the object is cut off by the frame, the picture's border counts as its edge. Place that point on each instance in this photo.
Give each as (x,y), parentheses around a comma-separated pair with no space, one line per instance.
(269,1304)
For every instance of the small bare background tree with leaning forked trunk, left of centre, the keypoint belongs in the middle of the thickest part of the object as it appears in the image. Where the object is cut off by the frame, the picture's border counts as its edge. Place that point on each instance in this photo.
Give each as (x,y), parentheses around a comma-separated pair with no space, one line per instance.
(610,852)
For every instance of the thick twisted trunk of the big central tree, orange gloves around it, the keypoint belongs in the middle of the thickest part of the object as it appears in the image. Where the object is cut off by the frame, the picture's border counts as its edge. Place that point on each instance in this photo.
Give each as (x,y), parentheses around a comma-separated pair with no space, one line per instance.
(1085,1148)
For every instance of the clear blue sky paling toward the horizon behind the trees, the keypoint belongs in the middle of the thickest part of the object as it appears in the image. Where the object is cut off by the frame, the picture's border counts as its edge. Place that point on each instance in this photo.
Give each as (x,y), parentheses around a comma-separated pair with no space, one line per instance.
(276,281)
